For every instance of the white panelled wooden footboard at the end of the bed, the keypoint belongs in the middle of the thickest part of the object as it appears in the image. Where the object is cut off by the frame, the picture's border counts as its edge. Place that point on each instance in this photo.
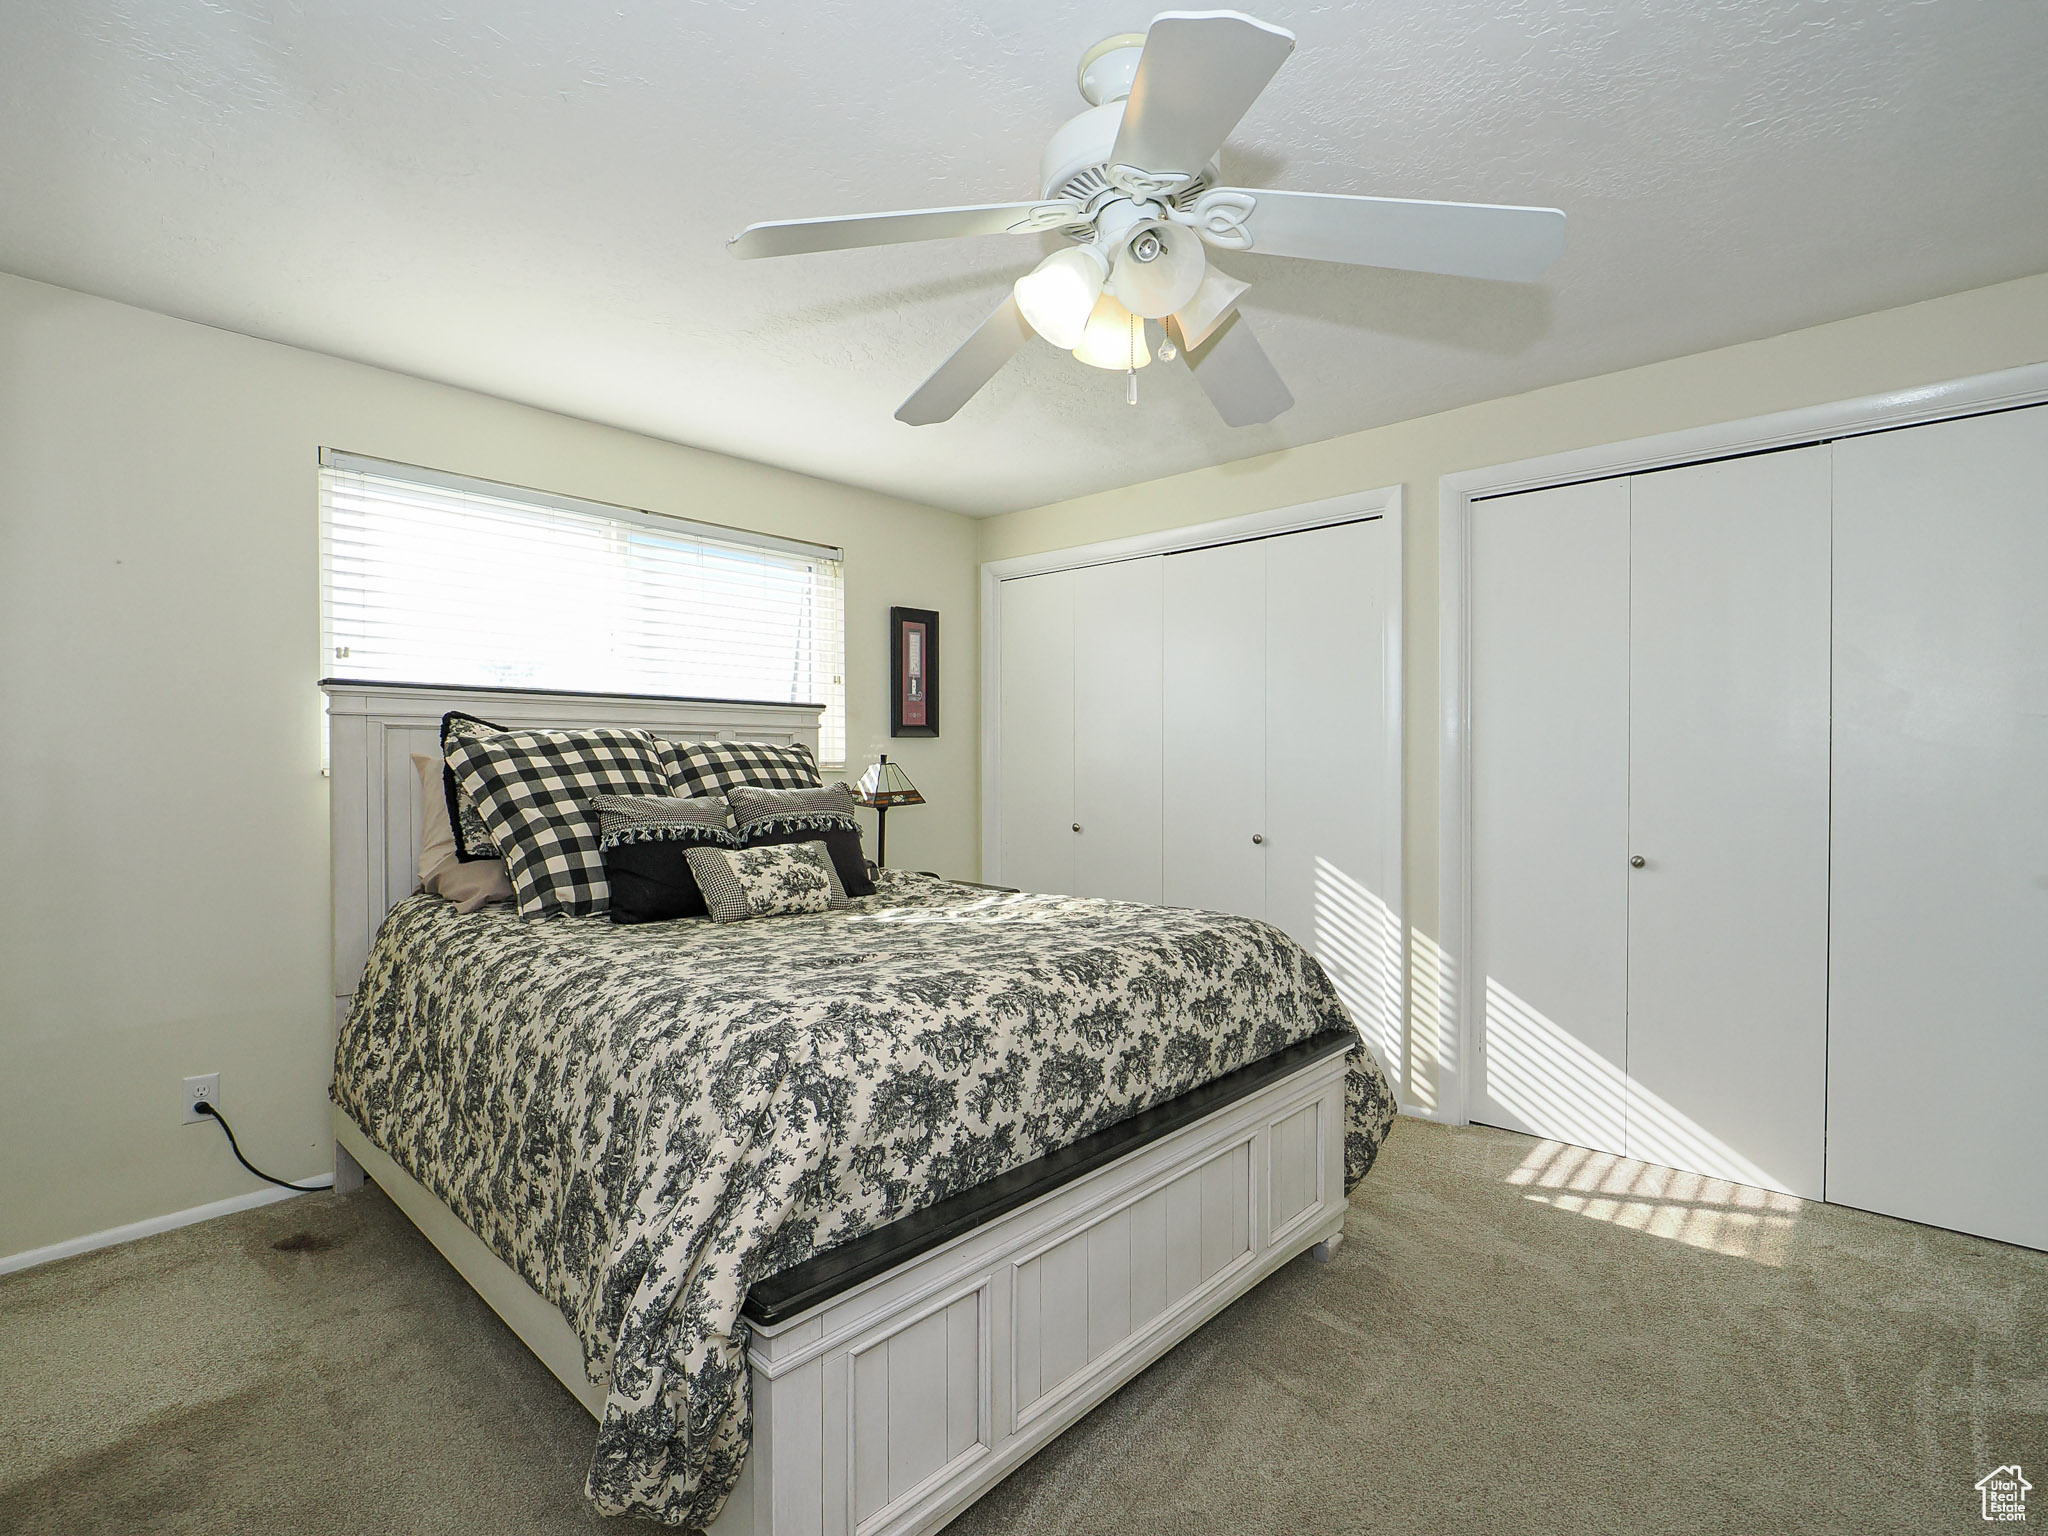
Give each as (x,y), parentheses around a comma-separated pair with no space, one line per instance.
(888,1410)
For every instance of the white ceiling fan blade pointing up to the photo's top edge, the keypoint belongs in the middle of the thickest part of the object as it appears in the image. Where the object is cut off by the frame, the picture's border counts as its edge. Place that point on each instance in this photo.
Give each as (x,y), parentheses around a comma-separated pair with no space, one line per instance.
(1201,71)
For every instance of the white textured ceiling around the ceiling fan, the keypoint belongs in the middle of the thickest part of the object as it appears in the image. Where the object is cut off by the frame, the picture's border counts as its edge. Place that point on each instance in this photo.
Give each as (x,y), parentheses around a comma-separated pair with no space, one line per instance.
(531,200)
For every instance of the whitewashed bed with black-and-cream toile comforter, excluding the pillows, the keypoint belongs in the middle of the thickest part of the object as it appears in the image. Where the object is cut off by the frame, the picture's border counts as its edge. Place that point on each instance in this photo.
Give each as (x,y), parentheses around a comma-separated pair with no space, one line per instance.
(830,1222)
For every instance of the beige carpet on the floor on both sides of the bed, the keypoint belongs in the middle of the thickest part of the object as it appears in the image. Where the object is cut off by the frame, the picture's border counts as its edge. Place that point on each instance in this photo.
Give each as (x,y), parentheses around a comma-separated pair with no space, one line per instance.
(1517,1338)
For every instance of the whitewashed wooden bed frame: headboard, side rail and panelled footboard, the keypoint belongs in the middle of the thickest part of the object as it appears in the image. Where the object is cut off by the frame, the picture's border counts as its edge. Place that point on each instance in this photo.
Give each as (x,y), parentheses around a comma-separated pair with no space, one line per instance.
(904,1375)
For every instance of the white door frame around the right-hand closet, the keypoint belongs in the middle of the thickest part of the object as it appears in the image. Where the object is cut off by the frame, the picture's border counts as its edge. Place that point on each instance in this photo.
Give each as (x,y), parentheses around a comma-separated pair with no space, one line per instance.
(1795,429)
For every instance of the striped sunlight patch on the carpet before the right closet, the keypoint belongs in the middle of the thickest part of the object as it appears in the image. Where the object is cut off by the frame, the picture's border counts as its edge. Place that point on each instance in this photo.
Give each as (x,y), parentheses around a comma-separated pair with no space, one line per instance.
(1715,1215)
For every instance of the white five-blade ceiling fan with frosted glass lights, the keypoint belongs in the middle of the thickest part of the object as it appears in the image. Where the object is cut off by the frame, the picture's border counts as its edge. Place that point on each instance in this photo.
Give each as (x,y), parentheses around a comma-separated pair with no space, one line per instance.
(1134,181)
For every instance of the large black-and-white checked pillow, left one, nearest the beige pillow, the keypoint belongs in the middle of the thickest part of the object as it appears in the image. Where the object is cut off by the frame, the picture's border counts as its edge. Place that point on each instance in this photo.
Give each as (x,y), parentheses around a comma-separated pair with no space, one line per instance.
(536,796)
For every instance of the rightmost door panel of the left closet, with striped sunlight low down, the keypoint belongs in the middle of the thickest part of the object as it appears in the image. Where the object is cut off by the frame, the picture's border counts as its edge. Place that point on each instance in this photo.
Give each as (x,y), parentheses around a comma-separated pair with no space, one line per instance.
(1332,869)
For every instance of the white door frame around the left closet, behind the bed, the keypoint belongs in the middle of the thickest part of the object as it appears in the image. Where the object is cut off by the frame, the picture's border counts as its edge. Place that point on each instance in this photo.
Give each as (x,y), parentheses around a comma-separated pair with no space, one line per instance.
(1355,507)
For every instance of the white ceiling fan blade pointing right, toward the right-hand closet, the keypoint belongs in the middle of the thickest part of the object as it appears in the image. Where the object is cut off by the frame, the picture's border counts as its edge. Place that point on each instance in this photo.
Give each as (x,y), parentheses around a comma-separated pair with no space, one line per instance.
(1453,239)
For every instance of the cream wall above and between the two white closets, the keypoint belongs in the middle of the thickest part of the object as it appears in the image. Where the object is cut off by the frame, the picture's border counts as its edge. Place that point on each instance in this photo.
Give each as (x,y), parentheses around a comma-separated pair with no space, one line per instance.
(1945,339)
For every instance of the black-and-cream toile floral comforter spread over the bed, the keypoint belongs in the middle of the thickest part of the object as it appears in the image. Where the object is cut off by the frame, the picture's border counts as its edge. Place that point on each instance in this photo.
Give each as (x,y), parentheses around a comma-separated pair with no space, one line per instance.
(648,1119)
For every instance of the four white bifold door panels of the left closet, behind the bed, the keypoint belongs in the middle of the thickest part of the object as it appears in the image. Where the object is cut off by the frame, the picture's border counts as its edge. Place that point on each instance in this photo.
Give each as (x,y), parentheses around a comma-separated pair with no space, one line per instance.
(1218,730)
